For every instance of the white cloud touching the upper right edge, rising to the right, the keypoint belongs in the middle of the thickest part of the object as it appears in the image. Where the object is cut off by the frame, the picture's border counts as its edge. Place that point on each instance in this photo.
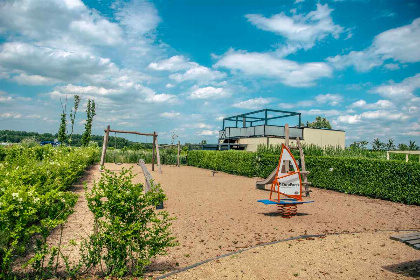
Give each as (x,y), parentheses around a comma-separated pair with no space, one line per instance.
(399,44)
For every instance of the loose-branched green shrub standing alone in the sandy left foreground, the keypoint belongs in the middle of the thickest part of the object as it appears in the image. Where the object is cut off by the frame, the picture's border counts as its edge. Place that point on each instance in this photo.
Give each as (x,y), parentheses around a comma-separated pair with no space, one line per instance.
(128,231)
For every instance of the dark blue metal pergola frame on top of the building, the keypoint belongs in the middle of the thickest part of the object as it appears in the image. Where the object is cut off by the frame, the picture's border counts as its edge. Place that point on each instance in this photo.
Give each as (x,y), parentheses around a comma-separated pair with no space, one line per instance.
(265,119)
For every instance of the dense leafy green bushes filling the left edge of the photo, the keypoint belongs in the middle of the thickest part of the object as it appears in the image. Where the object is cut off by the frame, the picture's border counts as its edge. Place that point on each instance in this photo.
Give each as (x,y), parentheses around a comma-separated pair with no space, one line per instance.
(34,196)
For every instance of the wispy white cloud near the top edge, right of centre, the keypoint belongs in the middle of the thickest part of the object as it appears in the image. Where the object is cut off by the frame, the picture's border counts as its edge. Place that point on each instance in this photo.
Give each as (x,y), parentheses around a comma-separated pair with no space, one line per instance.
(304,30)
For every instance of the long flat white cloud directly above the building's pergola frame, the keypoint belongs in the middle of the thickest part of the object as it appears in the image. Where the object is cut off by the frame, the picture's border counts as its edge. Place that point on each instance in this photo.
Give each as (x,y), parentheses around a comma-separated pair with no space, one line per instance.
(266,65)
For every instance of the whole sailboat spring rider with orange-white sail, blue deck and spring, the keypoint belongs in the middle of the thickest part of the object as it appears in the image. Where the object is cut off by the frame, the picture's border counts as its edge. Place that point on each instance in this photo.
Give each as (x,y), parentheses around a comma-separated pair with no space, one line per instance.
(287,183)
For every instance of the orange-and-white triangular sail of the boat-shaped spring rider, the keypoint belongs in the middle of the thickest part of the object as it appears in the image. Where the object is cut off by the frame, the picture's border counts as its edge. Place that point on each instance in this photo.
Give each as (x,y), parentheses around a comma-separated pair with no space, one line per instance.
(288,181)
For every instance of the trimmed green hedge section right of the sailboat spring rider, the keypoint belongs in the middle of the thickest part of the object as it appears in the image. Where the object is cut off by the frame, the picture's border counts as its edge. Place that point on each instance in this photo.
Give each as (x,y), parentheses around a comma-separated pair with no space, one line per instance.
(391,180)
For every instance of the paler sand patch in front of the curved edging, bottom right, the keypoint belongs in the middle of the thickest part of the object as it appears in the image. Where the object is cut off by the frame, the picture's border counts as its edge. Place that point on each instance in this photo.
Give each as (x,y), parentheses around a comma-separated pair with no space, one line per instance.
(348,256)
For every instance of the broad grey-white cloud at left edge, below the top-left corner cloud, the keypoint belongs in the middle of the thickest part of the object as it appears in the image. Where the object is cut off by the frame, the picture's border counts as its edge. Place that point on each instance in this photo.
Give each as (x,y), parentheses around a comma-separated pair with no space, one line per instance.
(61,66)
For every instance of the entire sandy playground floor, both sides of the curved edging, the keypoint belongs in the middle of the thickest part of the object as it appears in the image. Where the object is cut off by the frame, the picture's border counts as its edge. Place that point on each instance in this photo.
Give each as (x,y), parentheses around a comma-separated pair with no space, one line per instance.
(219,222)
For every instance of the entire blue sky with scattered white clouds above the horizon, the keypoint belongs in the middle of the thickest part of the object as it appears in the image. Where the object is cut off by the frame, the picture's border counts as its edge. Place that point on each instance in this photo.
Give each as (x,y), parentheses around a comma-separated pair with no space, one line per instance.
(179,67)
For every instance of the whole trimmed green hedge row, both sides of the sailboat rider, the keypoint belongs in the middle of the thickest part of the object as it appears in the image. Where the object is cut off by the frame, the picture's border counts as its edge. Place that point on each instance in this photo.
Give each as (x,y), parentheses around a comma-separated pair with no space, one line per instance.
(391,180)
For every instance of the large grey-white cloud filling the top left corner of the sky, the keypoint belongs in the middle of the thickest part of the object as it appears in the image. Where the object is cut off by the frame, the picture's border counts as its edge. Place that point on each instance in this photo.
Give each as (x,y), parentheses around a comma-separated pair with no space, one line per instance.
(60,23)
